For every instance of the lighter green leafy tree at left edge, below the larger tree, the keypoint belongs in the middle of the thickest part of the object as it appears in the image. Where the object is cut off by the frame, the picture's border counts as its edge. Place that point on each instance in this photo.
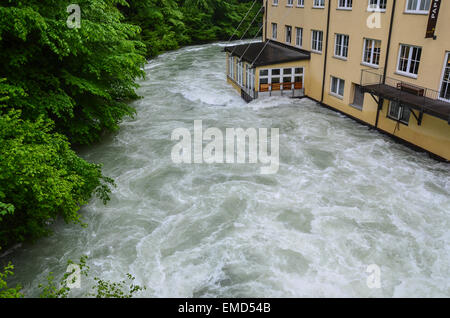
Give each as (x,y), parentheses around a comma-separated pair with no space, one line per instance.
(41,179)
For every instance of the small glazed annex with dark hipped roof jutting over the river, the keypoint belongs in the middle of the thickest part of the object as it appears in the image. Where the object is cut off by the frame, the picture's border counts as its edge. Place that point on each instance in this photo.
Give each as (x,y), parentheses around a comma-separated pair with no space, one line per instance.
(267,69)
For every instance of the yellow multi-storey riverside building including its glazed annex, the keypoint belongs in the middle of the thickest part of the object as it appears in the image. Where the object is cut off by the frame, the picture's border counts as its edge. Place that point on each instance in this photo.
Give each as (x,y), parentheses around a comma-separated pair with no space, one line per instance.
(385,63)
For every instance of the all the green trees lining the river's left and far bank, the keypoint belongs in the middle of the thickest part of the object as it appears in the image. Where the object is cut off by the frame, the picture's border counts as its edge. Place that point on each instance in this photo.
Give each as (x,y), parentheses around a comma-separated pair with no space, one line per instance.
(62,86)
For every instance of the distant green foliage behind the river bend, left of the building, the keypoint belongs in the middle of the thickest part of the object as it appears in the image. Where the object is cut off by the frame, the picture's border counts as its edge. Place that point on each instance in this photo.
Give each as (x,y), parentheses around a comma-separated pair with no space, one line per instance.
(169,24)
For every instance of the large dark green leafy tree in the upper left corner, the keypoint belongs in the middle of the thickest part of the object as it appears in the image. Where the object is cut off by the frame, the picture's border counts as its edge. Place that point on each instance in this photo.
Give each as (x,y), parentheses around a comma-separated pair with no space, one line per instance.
(80,78)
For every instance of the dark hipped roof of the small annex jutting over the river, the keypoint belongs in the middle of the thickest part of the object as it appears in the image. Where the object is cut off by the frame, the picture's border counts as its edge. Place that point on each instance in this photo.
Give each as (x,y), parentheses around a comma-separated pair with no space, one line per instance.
(261,54)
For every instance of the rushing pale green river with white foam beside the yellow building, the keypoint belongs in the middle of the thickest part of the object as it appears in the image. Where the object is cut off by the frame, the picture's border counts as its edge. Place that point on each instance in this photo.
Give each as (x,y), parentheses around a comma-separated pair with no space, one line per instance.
(345,197)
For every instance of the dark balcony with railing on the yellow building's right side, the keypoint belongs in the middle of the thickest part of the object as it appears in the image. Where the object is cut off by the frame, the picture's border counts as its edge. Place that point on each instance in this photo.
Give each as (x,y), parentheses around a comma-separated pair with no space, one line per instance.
(416,97)
